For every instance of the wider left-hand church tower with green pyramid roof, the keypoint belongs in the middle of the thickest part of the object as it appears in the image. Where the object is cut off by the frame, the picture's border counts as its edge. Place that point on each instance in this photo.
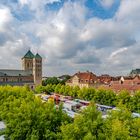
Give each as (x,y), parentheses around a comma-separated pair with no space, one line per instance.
(27,61)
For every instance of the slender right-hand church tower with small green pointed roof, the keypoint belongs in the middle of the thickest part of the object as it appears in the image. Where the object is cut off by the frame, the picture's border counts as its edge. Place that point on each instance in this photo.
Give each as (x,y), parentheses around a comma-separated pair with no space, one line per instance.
(37,69)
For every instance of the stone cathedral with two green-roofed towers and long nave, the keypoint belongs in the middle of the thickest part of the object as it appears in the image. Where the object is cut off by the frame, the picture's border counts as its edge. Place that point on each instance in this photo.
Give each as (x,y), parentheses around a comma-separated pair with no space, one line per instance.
(31,73)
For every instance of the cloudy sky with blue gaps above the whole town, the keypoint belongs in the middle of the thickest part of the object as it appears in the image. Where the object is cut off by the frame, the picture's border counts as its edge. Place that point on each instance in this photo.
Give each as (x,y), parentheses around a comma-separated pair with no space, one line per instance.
(102,36)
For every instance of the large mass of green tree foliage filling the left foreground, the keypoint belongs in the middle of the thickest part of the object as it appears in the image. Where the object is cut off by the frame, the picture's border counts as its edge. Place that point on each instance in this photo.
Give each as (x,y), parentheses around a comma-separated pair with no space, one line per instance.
(27,118)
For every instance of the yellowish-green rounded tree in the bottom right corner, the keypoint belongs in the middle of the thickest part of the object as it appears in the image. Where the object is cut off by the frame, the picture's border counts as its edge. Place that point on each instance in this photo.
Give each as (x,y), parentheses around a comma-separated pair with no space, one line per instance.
(120,125)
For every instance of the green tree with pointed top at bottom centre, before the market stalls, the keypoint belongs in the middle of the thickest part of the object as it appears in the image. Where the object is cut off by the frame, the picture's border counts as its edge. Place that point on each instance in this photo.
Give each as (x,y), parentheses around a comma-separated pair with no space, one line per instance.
(86,126)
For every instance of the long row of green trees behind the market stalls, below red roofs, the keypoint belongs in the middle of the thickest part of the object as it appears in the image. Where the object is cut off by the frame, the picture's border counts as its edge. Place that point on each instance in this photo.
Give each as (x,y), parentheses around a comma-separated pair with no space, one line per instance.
(100,96)
